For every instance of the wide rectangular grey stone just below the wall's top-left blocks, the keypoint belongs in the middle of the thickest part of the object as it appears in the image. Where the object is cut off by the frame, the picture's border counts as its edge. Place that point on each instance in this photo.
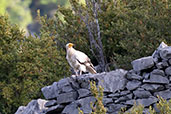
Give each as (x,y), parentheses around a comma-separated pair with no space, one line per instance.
(67,97)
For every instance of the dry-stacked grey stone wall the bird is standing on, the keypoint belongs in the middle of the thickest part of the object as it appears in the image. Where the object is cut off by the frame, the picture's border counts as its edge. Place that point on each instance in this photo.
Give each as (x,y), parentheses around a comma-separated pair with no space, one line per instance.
(150,77)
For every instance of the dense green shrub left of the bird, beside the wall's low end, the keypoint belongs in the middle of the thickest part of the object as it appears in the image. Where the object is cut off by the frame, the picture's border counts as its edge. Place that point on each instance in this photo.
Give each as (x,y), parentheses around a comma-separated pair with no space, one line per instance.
(26,65)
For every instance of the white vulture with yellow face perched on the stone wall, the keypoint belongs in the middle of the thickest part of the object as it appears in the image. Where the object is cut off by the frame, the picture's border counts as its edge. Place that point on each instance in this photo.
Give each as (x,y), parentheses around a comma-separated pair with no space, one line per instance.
(78,60)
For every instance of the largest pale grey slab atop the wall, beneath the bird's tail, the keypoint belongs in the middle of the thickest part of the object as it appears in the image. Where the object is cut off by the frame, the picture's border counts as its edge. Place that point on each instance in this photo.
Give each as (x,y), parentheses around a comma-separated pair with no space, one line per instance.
(110,81)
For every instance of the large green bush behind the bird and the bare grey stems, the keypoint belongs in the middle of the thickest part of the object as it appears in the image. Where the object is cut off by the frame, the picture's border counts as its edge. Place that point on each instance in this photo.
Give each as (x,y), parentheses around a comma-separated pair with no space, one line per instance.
(129,29)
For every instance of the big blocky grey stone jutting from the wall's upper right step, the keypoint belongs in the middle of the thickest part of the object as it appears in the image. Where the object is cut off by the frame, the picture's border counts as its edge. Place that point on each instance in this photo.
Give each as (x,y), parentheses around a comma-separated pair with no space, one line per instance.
(143,63)
